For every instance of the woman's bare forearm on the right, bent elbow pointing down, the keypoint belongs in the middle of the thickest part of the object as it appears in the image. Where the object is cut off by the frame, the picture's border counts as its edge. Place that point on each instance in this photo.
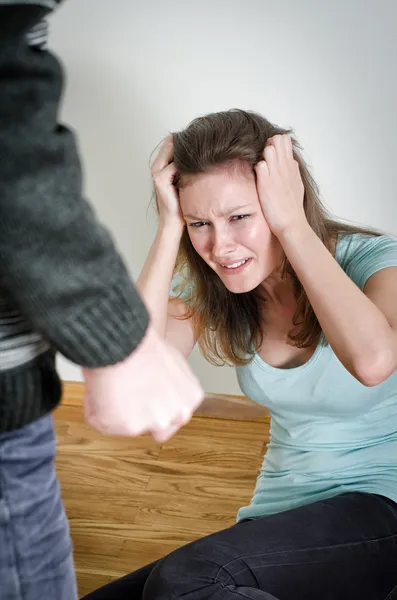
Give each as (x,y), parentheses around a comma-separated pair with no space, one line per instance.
(356,329)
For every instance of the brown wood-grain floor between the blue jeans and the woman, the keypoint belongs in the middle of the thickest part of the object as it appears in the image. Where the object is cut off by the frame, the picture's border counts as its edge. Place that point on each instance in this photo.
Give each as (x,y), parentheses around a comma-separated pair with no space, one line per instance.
(130,501)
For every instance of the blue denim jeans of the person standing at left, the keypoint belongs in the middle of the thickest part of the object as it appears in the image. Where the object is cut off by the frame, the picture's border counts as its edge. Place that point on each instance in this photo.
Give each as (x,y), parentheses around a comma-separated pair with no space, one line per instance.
(36,560)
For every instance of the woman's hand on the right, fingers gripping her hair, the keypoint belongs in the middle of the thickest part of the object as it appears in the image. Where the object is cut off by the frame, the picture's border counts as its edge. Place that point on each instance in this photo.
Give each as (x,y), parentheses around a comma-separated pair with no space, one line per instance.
(280,186)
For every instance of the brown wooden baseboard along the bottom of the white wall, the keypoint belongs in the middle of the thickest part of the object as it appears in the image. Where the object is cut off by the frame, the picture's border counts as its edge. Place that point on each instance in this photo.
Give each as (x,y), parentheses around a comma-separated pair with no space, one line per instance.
(218,406)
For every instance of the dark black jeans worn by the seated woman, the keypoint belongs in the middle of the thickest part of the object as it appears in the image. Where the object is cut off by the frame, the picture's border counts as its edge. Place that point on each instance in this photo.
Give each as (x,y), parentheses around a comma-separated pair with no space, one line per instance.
(344,548)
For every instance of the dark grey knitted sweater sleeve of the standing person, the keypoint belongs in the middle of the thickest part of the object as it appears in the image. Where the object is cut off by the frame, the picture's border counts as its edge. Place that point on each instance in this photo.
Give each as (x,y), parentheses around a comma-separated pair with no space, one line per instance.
(58,264)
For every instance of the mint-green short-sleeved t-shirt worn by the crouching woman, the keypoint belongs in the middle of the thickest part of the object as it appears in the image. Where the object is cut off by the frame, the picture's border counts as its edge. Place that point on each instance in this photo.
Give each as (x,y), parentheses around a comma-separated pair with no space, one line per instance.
(329,434)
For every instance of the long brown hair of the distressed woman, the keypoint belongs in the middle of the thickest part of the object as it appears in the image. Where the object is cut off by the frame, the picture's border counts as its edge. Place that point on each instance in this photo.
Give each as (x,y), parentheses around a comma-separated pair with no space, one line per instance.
(228,324)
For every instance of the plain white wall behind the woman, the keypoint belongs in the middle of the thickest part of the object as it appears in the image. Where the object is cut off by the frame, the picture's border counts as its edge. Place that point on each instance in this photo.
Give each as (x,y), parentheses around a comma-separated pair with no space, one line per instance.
(138,70)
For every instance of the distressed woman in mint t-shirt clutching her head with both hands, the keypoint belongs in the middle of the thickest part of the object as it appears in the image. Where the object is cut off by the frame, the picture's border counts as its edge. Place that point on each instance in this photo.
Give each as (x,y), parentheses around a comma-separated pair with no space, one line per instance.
(305,307)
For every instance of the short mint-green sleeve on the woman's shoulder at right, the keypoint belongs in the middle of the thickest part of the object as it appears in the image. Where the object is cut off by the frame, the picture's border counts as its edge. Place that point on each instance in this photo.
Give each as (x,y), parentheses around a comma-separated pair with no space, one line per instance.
(363,255)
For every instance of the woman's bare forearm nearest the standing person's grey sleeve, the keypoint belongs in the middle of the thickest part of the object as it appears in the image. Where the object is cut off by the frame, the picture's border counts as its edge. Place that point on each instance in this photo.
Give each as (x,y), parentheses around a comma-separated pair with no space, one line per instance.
(155,278)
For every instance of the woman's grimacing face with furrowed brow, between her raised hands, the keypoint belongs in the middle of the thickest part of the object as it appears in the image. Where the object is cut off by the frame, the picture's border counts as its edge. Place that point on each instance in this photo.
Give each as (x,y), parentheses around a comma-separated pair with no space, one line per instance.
(227,227)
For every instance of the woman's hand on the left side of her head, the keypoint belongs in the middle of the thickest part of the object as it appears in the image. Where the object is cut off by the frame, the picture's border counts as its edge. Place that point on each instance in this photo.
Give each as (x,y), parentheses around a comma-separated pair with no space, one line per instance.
(163,173)
